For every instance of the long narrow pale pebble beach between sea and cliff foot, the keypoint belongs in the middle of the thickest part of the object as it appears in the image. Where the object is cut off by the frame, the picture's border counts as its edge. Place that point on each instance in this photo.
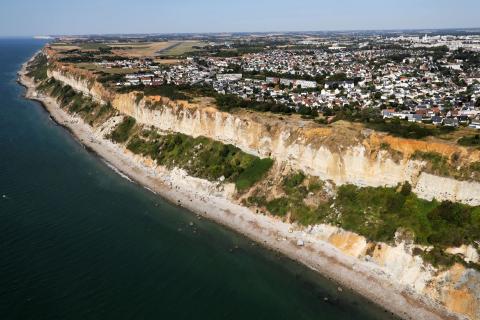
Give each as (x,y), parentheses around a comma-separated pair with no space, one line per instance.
(196,195)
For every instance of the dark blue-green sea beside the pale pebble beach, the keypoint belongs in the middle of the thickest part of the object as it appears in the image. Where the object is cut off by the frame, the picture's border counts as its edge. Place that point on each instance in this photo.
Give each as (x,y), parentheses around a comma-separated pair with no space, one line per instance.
(77,241)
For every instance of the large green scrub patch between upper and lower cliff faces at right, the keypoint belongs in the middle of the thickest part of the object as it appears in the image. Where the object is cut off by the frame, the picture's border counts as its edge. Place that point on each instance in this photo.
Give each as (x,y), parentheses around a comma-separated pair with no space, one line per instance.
(375,212)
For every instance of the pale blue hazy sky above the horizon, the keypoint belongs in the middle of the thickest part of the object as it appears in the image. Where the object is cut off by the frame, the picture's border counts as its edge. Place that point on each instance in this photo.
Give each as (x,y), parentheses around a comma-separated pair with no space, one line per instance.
(38,17)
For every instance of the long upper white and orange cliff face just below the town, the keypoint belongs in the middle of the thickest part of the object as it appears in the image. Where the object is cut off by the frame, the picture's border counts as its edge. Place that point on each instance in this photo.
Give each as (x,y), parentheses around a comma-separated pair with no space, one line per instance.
(320,152)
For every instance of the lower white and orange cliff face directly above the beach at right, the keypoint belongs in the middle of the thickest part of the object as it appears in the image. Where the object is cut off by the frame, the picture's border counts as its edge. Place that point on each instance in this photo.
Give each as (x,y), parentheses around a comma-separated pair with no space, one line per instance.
(457,289)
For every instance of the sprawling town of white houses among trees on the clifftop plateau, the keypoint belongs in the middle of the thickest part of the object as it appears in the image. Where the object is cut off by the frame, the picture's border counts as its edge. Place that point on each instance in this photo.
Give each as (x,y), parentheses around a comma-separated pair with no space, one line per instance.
(422,79)
